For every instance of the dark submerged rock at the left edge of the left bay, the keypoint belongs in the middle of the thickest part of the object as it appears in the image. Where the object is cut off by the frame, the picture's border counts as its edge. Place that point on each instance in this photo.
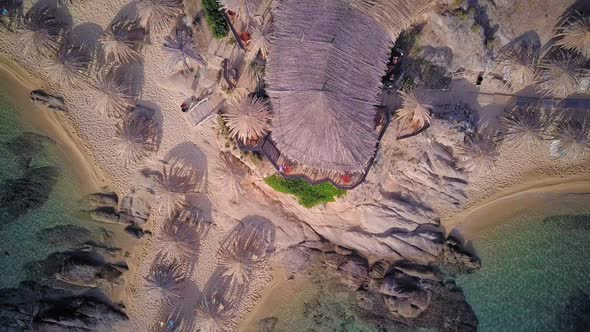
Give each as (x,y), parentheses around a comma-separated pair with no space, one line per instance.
(31,191)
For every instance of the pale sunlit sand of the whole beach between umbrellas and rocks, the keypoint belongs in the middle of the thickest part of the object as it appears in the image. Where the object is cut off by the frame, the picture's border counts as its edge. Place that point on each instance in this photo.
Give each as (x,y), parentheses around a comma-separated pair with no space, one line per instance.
(521,180)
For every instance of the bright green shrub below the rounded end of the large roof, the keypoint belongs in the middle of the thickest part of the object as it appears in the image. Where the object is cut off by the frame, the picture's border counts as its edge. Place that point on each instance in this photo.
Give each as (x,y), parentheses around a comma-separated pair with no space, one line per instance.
(307,194)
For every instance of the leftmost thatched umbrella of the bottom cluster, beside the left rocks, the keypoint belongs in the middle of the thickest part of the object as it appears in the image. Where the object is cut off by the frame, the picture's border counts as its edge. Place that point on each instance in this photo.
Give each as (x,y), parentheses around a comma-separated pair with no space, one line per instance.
(165,279)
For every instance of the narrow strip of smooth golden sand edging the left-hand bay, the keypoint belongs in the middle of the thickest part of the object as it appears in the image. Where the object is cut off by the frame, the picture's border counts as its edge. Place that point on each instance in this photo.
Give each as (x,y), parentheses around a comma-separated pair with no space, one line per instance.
(55,126)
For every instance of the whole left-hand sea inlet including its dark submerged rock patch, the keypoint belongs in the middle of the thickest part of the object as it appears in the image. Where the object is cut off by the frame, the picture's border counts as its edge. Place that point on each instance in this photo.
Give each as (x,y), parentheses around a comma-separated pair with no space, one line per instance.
(29,157)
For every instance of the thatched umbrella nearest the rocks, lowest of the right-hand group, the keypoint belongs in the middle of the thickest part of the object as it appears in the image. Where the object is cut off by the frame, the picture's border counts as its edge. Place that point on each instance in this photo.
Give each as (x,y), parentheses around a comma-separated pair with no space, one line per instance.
(478,154)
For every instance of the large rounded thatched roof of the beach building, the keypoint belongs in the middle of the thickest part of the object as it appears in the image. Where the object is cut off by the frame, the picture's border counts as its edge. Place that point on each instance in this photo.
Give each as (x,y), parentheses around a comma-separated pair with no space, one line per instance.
(324,75)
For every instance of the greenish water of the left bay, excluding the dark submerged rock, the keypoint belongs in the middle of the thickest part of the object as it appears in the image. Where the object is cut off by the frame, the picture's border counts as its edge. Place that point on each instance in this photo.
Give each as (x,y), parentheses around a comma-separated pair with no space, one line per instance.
(19,242)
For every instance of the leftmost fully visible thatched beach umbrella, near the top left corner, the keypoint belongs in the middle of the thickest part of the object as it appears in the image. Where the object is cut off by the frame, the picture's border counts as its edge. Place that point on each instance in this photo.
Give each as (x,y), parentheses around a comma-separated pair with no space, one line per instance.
(40,31)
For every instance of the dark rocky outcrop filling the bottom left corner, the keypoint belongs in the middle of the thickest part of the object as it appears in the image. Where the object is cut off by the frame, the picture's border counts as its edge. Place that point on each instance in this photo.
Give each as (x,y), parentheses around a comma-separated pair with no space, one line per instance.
(34,307)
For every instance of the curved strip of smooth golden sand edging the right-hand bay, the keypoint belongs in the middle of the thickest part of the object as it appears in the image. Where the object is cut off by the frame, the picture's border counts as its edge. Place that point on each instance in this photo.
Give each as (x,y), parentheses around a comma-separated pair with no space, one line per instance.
(538,194)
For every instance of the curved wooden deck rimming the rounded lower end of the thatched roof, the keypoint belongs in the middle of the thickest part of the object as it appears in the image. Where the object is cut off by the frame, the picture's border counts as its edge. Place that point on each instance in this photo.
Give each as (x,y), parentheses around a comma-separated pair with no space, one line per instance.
(293,170)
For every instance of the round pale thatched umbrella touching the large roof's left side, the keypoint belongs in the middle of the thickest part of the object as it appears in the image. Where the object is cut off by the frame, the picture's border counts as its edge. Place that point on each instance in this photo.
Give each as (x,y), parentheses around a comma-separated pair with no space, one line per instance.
(247,117)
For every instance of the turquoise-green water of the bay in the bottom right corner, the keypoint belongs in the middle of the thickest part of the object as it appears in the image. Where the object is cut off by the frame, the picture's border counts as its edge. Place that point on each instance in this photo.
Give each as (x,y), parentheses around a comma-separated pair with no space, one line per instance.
(535,274)
